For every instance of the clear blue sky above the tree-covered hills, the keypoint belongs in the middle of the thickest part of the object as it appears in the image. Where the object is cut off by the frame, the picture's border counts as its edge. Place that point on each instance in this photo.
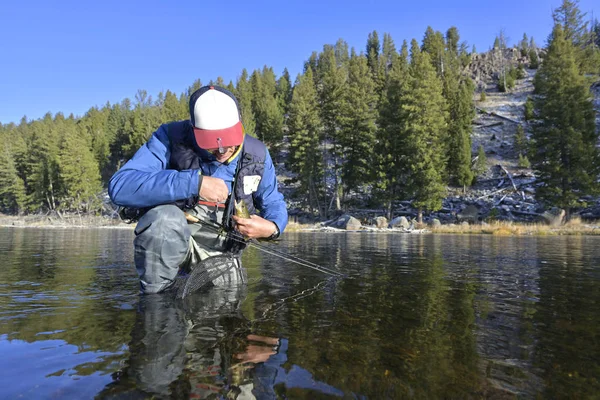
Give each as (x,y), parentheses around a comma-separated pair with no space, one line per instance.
(69,56)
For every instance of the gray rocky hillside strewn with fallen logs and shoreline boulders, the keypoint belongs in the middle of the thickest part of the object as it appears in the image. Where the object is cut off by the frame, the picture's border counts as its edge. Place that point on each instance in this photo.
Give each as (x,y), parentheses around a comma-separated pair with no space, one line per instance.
(503,191)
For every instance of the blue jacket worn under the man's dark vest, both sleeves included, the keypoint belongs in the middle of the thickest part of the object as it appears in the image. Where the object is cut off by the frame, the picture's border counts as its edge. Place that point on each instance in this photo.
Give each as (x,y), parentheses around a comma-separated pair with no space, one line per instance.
(147,181)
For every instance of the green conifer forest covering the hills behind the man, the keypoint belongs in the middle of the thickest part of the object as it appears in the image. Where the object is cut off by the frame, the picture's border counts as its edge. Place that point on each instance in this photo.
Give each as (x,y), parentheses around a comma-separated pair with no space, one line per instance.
(382,124)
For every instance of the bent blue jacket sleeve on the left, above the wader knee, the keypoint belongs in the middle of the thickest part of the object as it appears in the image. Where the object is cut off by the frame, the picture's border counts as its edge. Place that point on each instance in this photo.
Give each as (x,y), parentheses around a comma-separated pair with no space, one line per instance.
(145,181)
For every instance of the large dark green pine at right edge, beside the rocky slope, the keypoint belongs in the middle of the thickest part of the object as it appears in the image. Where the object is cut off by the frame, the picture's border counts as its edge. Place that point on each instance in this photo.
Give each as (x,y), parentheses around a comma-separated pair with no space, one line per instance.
(566,158)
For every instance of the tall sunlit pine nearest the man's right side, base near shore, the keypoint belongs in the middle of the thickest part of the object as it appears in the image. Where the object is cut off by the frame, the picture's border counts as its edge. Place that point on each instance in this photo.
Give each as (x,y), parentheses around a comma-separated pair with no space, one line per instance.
(304,126)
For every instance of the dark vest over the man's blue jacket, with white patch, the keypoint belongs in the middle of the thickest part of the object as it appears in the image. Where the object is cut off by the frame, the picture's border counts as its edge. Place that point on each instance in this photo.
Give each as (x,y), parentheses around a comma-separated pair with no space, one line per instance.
(184,156)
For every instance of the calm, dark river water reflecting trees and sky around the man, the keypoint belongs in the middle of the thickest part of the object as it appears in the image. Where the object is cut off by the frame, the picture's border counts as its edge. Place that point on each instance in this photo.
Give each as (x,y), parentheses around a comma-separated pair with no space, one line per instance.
(416,316)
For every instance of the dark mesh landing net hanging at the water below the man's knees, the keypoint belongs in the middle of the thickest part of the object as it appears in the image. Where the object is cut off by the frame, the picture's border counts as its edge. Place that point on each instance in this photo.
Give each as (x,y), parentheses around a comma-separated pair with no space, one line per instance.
(202,275)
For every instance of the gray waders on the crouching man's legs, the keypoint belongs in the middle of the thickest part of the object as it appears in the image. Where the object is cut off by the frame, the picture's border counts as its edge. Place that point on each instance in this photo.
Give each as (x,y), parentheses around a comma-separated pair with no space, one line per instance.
(166,244)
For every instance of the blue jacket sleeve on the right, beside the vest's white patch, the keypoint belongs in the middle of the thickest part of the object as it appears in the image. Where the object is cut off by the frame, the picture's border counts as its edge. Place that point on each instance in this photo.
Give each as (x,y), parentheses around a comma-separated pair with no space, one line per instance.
(268,198)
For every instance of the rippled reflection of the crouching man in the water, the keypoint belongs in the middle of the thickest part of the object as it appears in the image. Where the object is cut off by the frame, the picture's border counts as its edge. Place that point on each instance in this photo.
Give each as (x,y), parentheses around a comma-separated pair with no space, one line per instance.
(202,347)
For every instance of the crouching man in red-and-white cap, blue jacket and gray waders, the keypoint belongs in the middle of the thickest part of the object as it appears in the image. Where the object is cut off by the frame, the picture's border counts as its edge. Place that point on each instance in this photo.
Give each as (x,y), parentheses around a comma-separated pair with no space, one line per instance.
(199,166)
